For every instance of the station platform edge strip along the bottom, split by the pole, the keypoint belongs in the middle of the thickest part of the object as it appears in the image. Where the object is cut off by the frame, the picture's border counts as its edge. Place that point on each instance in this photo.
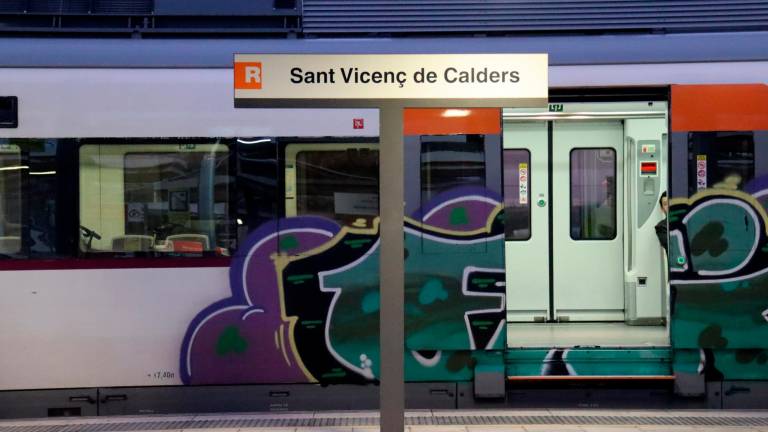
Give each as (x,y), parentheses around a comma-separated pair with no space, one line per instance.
(416,421)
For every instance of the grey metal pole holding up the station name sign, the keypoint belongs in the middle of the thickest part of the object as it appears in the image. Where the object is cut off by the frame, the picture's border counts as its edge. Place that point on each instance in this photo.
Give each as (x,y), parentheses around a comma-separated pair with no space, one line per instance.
(392,268)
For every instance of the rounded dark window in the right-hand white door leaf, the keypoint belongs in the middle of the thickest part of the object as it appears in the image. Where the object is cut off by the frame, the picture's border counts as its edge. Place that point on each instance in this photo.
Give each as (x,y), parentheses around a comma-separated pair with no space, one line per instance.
(593,194)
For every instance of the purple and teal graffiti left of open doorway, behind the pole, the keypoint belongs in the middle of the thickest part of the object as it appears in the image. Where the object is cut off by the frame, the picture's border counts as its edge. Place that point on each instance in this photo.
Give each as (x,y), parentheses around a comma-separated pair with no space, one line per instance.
(305,299)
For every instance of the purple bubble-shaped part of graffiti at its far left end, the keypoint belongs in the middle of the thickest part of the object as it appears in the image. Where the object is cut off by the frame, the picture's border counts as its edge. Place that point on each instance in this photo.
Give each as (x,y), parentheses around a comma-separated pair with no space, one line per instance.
(246,338)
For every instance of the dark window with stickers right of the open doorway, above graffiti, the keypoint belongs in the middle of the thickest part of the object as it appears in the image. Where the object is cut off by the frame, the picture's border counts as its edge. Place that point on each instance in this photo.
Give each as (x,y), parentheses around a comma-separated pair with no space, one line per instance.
(722,160)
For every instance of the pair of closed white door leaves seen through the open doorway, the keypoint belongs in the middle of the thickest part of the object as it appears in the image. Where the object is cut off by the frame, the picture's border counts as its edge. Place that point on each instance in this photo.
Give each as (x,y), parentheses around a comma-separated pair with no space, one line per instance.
(579,225)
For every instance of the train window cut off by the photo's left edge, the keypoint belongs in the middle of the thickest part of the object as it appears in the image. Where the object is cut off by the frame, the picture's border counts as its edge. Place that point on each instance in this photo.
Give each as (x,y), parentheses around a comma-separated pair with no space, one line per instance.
(11,170)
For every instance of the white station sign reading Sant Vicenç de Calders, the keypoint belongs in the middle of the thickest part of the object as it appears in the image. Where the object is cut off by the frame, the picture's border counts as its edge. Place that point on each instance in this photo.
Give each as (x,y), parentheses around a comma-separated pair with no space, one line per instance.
(391,76)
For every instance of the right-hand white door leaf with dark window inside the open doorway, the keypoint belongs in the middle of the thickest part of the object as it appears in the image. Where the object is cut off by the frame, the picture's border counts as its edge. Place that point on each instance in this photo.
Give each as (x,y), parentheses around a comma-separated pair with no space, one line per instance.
(587,237)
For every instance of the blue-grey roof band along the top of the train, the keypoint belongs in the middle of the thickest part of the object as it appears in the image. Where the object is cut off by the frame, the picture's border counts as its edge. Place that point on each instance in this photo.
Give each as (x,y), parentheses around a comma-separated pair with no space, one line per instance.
(219,53)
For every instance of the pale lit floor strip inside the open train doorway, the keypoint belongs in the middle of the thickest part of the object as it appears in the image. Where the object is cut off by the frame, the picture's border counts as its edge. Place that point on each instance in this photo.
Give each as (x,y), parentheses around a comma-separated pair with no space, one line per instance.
(567,335)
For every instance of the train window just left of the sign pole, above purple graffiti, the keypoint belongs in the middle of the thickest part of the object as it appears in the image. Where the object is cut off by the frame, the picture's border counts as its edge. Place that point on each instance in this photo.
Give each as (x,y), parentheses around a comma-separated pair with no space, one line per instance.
(336,181)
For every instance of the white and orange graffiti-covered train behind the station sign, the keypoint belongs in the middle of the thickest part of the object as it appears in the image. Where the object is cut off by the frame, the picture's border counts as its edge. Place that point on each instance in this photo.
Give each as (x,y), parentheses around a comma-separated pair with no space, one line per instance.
(162,251)
